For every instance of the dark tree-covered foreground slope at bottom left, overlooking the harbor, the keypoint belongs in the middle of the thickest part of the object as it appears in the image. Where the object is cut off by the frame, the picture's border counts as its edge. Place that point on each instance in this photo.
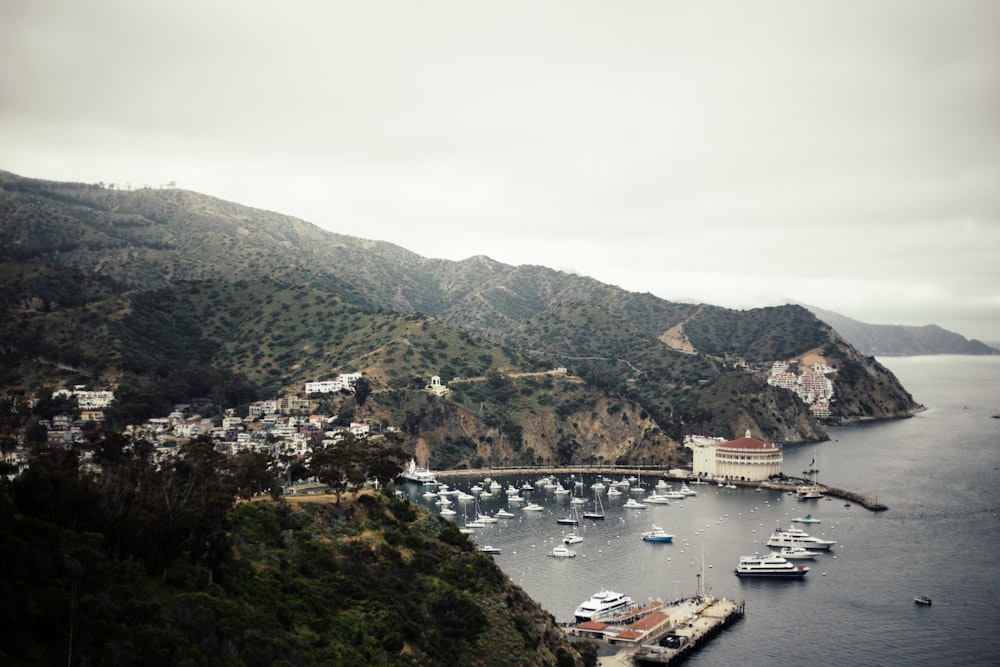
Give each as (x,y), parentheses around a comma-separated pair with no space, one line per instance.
(144,565)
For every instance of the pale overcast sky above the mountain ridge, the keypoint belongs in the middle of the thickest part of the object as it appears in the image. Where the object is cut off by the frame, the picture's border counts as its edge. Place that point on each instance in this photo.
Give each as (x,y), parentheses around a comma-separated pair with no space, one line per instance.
(840,154)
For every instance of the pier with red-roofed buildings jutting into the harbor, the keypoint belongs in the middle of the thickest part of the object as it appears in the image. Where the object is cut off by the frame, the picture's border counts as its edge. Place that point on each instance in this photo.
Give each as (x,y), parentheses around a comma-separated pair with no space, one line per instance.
(661,633)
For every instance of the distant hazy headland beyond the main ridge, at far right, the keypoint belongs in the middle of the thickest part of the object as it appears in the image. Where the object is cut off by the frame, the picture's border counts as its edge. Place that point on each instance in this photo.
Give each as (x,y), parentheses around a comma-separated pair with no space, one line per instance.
(897,340)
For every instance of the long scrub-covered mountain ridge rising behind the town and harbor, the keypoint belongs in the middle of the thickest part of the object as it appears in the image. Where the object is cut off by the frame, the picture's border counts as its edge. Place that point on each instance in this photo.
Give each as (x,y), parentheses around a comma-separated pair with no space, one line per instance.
(183,295)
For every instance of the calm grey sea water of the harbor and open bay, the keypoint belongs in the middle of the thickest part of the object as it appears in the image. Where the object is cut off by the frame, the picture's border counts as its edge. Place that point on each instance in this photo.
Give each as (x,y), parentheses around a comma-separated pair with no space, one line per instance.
(939,473)
